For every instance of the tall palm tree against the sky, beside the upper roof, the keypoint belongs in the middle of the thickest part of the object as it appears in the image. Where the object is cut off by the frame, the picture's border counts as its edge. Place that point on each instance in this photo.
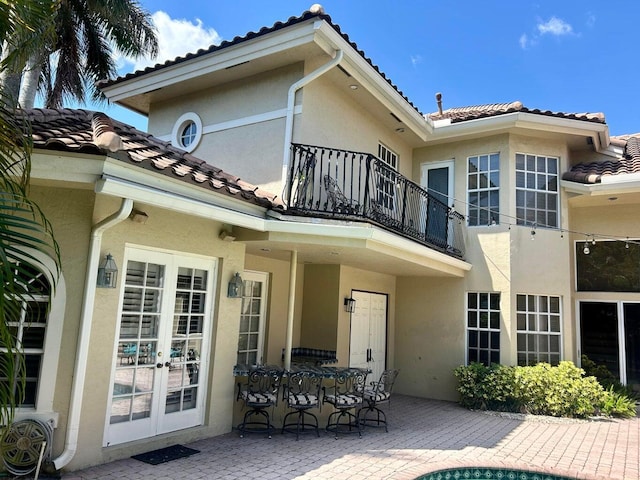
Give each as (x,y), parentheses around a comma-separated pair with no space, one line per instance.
(86,33)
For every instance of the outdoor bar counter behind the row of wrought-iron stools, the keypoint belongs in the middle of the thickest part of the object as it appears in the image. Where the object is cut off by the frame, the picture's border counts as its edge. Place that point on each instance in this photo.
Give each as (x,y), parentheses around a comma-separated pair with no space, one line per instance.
(328,373)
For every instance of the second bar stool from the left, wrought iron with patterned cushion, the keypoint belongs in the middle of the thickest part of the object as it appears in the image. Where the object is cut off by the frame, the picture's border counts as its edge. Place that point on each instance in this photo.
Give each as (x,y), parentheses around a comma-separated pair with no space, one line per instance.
(302,393)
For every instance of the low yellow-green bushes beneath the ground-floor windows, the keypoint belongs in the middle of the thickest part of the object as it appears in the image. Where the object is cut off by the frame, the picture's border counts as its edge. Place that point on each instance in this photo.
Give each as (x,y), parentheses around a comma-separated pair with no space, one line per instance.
(561,391)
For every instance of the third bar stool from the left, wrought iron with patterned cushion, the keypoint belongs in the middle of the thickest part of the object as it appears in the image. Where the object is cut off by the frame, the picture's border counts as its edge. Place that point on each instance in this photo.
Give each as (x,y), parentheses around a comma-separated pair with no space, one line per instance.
(346,396)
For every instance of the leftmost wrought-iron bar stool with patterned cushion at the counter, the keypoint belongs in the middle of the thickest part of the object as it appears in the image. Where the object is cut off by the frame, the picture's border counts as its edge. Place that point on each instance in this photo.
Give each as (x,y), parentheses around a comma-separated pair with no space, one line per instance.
(259,392)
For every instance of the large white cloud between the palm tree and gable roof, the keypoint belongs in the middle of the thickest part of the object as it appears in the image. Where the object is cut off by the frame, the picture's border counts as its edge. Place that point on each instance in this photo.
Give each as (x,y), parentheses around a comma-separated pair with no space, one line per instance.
(176,38)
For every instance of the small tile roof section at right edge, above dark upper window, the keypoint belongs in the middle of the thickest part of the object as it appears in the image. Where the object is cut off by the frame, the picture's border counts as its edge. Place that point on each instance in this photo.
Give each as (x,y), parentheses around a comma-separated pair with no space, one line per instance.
(592,172)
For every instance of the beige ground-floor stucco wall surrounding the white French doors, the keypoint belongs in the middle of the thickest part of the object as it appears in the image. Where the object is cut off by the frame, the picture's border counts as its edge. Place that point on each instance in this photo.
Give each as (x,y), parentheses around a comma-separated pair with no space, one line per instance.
(174,232)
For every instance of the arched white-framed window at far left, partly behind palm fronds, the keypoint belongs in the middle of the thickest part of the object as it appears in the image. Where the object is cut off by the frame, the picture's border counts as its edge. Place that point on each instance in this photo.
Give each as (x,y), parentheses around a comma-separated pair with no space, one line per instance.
(38,330)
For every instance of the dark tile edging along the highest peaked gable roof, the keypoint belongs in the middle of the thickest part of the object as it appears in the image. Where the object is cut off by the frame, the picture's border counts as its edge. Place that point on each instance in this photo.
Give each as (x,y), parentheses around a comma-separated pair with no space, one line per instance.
(250,36)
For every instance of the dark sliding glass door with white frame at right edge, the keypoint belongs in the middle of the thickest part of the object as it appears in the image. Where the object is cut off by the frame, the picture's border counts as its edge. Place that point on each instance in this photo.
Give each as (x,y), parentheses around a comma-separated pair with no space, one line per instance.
(610,336)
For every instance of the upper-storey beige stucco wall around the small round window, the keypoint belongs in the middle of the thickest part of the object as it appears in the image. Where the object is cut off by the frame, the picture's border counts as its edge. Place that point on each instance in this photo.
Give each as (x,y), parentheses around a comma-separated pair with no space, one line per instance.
(252,151)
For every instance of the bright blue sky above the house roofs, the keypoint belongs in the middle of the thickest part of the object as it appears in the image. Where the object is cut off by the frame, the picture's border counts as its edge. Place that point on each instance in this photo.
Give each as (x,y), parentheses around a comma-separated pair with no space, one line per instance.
(569,56)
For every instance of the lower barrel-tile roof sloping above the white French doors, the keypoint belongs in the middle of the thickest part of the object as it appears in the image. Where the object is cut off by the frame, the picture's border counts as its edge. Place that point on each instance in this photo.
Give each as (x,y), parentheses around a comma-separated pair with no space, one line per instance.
(90,132)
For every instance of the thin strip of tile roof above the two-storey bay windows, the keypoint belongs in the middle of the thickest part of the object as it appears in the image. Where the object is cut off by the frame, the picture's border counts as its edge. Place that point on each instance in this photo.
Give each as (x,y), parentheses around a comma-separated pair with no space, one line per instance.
(463,114)
